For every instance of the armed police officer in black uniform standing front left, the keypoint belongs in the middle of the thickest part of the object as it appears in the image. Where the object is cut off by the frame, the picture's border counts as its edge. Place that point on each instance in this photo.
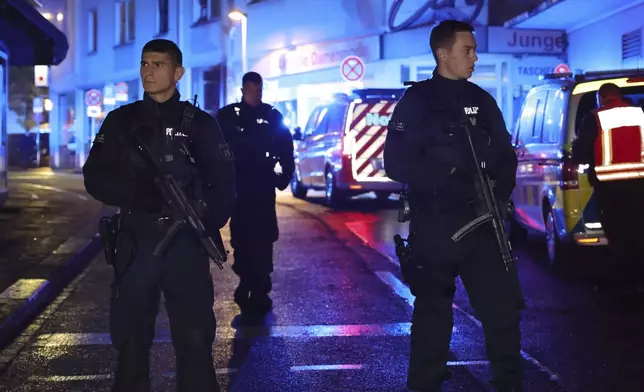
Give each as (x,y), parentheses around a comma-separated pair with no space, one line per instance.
(116,174)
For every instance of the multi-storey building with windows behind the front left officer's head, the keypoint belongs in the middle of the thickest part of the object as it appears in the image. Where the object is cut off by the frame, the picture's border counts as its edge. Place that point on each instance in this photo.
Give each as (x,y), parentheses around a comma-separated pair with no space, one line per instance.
(106,38)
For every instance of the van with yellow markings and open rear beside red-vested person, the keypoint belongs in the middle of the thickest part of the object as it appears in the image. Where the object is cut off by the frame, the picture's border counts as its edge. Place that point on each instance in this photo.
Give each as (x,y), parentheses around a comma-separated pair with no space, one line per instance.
(553,195)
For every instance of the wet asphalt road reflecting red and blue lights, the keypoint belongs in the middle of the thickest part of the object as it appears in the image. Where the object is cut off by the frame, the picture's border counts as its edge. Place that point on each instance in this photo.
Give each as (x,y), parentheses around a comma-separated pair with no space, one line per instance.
(341,322)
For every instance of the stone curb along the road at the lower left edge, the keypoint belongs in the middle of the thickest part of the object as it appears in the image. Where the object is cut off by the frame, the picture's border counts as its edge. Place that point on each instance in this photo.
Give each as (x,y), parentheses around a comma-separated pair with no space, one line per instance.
(55,284)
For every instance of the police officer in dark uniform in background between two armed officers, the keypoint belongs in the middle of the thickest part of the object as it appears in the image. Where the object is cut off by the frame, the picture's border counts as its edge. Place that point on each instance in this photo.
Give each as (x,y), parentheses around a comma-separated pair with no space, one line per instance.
(260,140)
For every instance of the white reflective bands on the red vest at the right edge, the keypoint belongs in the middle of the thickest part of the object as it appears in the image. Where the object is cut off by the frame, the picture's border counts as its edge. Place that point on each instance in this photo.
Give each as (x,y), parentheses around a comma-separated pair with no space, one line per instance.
(609,121)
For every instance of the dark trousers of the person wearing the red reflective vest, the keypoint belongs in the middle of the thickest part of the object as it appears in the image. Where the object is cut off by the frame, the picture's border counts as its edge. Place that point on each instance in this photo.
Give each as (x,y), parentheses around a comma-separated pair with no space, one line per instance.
(621,207)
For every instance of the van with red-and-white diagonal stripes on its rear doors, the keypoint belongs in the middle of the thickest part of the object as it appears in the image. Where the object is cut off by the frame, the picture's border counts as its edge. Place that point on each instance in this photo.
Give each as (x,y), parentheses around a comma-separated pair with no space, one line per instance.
(341,147)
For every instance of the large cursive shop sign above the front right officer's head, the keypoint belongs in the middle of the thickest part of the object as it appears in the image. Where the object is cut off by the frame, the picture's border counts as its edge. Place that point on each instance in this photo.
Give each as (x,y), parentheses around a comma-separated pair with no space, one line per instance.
(405,14)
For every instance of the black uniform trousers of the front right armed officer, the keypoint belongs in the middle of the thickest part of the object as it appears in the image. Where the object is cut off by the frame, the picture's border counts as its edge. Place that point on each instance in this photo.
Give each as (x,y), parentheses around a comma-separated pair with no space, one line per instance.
(494,293)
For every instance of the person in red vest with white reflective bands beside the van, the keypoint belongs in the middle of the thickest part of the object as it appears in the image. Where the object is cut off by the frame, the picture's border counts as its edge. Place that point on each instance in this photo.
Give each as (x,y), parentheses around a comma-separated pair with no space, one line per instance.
(609,141)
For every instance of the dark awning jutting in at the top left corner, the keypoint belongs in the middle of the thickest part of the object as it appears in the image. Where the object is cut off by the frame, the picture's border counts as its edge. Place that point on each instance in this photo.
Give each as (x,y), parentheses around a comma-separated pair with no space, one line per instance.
(29,37)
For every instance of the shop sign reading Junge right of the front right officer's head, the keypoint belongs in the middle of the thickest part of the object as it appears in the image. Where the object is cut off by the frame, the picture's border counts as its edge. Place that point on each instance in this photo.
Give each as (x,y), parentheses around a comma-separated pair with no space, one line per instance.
(526,41)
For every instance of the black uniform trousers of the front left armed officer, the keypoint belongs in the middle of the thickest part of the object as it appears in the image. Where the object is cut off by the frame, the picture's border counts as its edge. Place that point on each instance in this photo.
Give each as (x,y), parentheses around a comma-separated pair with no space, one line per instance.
(183,275)
